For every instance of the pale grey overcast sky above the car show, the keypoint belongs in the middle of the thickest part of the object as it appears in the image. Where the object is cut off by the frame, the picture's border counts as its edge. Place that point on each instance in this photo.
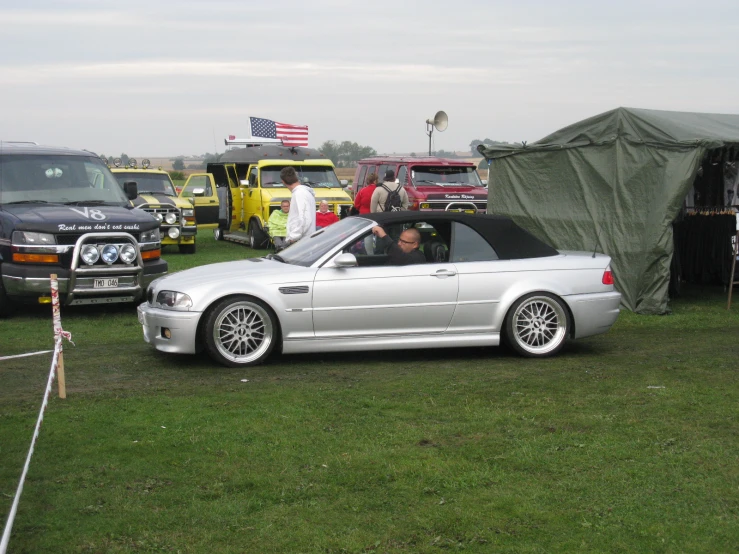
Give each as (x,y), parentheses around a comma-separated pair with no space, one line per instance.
(164,78)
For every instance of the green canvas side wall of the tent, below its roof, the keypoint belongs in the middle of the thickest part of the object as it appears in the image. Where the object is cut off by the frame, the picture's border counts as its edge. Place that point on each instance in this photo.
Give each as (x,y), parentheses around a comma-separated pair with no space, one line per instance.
(620,196)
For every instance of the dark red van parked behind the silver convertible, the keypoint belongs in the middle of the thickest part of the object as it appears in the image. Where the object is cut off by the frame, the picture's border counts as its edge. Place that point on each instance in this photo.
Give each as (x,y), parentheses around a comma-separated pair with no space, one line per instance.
(432,184)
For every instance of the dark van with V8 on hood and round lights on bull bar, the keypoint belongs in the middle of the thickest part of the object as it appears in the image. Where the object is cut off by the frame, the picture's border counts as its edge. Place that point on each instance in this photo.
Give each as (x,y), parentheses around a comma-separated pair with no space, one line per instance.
(63,212)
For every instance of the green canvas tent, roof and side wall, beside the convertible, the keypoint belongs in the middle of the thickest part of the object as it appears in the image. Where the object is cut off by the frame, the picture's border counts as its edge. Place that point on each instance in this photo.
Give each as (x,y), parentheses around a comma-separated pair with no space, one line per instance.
(614,182)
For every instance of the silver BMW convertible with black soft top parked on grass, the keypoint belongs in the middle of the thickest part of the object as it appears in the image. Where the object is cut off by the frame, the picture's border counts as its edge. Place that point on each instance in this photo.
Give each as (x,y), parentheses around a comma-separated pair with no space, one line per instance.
(477,280)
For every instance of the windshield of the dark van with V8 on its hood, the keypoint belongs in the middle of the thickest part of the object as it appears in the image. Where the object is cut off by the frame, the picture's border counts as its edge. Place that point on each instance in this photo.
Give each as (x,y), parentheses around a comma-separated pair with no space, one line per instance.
(61,179)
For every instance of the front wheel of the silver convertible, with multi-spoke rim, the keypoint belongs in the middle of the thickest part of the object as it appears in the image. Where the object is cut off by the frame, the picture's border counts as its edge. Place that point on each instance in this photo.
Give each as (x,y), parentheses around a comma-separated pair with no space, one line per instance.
(240,331)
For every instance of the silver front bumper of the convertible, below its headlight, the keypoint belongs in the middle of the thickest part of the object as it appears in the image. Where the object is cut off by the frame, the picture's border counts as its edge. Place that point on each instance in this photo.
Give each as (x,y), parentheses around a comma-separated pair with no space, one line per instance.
(183,328)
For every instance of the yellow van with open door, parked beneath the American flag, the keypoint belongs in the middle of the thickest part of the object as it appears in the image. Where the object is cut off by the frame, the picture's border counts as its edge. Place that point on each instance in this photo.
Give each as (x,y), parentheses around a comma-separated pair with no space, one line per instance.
(249,187)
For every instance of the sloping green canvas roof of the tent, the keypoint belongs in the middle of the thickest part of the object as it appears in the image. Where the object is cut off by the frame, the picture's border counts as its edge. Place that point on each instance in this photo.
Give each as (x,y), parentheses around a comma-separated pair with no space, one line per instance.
(654,127)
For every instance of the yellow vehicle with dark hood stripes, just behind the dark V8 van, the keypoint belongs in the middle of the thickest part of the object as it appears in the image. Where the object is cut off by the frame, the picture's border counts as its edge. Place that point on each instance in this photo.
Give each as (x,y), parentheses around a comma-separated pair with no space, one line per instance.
(157,195)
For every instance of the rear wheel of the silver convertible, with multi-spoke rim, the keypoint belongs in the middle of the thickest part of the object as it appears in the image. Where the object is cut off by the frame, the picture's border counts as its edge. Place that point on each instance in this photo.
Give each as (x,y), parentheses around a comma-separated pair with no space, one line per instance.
(537,325)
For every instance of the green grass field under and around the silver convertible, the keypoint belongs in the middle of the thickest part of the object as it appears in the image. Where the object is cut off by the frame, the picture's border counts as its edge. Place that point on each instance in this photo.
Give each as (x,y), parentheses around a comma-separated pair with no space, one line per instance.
(627,442)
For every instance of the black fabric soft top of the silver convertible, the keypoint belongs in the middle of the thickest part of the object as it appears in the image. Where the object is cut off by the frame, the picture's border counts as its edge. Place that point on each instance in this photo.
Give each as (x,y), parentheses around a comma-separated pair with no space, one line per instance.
(510,241)
